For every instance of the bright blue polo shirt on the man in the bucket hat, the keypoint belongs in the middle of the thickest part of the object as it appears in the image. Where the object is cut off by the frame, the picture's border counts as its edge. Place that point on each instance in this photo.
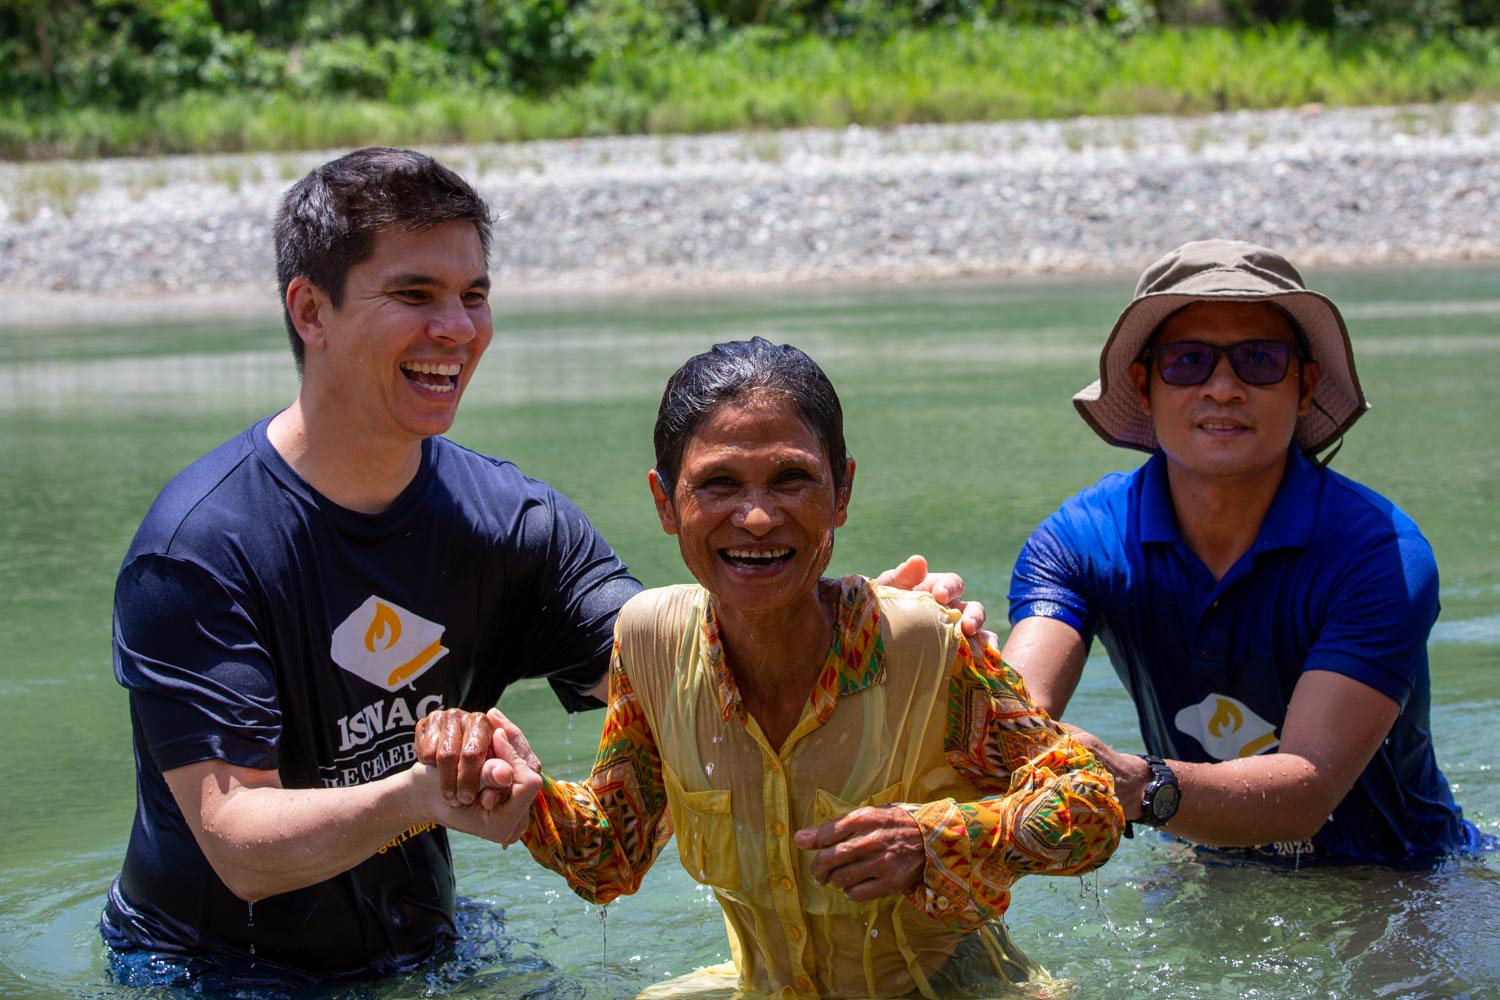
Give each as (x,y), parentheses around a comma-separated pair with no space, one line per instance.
(1339,579)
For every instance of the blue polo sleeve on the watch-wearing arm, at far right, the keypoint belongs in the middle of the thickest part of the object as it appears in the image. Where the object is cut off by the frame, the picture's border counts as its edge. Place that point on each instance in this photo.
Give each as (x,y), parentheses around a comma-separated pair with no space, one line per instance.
(1381,615)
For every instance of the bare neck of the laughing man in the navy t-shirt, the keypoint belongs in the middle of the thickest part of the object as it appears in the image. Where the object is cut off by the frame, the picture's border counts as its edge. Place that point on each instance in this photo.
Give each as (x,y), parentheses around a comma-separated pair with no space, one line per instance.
(367,478)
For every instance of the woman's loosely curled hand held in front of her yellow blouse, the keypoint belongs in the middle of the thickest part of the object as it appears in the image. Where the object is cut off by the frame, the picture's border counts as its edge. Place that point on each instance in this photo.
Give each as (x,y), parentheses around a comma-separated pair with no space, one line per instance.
(872,854)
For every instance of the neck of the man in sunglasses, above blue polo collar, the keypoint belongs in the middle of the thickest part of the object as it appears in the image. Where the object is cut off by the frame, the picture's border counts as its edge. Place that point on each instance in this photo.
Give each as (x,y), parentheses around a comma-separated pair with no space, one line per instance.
(1220,518)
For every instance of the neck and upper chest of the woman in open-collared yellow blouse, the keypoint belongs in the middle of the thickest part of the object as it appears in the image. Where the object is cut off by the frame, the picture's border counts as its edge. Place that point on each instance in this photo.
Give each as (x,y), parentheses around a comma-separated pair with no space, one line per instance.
(778,656)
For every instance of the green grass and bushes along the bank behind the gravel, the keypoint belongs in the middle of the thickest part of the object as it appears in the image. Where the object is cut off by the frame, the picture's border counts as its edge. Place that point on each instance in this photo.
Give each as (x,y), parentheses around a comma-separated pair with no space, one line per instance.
(151,77)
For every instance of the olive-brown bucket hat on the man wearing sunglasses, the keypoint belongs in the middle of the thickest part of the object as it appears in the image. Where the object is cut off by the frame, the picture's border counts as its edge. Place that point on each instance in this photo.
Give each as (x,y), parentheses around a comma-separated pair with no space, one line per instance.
(1223,271)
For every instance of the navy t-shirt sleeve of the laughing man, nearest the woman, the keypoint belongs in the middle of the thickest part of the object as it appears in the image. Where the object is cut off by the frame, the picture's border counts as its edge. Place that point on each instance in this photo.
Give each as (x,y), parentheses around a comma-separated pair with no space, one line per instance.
(580,585)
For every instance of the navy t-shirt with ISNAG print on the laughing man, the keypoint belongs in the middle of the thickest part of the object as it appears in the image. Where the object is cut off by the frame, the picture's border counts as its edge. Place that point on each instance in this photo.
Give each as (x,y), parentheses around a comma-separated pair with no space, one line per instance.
(260,624)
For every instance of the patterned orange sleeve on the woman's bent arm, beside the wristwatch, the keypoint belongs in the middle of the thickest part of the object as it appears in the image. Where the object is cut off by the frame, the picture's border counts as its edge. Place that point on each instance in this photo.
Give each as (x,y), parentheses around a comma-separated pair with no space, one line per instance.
(1051,806)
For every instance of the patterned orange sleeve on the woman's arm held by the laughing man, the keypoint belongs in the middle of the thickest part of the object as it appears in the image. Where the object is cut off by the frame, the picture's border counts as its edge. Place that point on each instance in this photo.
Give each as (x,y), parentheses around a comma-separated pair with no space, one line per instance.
(604,834)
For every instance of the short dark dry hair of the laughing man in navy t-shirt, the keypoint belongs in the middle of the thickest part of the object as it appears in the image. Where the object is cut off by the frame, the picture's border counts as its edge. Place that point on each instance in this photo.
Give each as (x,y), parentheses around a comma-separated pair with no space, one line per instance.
(328,221)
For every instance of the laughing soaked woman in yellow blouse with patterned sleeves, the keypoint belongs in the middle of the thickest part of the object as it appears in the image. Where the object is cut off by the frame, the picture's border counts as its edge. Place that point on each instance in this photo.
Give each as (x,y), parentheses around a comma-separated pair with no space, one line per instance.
(857,785)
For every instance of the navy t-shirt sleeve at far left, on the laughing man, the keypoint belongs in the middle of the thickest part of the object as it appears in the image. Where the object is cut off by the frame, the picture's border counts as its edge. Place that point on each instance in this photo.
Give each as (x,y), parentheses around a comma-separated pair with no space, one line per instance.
(202,683)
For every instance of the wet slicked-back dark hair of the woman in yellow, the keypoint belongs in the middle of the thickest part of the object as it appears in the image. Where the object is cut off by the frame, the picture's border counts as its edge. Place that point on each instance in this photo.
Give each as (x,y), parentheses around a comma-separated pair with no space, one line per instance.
(739,371)
